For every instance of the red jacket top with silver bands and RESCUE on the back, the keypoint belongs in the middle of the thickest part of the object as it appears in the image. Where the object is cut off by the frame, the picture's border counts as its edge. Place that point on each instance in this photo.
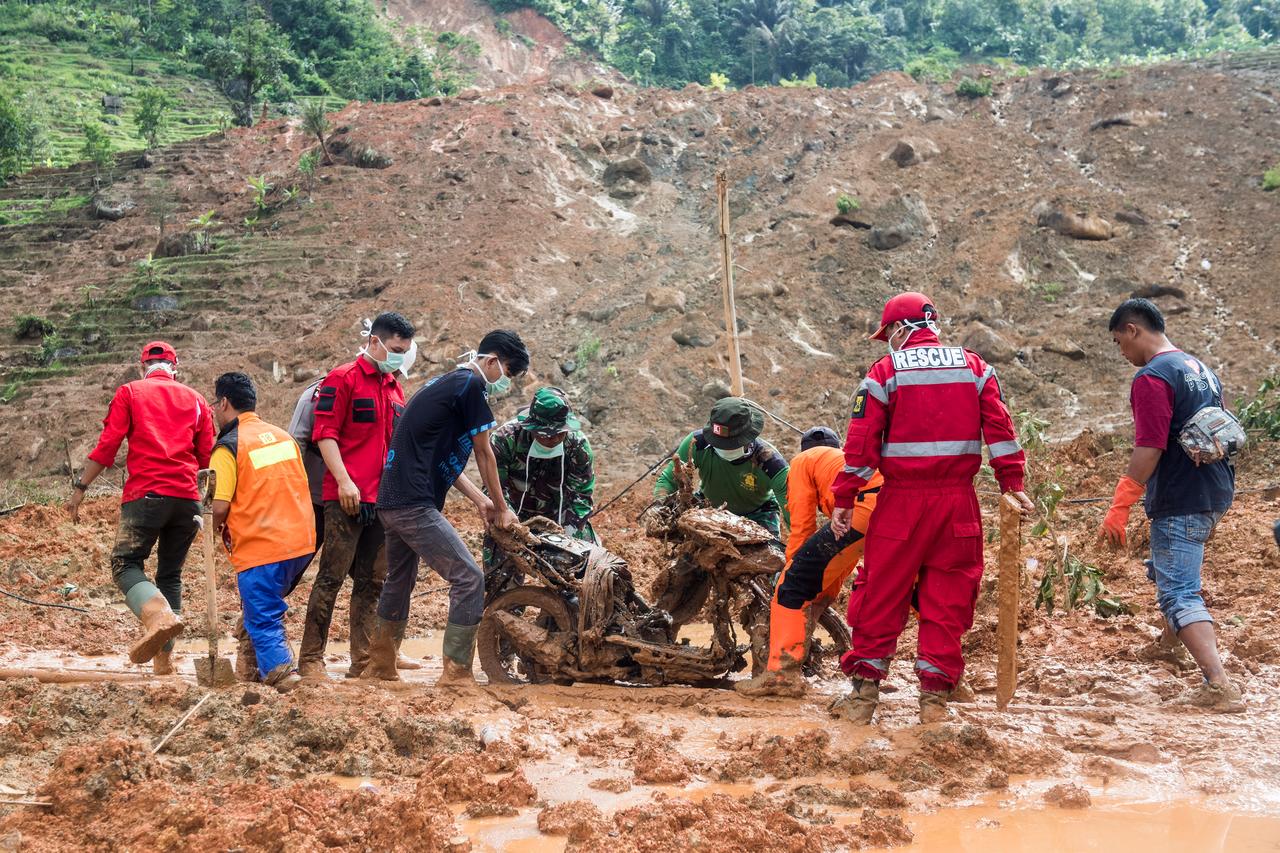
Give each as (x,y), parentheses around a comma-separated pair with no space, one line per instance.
(922,417)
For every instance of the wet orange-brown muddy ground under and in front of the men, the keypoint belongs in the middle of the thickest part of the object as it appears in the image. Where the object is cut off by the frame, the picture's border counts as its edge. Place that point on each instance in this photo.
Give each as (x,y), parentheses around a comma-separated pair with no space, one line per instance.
(592,768)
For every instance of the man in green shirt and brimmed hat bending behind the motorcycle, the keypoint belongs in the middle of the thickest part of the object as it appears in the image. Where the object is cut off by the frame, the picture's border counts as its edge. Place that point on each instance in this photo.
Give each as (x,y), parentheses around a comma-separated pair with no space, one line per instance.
(737,468)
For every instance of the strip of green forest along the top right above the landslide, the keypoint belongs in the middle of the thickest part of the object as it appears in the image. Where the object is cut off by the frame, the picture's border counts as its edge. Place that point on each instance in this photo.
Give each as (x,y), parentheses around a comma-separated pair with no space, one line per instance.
(673,43)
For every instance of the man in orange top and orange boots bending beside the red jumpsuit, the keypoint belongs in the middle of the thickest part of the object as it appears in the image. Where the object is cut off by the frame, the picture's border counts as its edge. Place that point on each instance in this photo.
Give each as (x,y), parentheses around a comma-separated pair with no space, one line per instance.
(819,563)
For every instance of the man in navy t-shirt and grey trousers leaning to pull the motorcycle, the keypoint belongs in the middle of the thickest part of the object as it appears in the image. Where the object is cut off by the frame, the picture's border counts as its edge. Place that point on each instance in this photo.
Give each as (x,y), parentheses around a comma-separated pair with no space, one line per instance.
(444,423)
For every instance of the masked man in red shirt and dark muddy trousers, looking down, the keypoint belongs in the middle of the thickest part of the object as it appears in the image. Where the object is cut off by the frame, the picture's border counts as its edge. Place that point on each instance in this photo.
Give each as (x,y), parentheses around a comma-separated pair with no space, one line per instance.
(356,410)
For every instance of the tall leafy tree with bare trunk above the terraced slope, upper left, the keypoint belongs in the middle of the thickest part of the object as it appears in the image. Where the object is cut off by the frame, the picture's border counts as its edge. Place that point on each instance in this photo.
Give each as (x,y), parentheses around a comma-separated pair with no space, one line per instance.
(248,62)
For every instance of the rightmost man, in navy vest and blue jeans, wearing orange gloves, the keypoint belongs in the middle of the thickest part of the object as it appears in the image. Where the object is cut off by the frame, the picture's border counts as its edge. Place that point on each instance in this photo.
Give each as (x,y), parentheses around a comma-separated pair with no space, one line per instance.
(1183,500)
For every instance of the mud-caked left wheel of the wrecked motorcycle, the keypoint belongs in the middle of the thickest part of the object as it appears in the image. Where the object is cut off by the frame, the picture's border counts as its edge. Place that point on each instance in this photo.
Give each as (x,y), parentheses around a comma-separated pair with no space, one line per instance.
(500,659)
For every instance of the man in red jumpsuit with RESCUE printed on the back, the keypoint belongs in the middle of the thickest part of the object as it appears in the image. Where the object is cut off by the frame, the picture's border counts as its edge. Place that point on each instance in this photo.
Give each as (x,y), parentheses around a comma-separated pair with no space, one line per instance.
(921,417)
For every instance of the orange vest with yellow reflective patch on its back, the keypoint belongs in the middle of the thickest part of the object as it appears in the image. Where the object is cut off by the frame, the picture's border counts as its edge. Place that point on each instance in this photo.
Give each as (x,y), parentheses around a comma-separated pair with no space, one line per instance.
(271,517)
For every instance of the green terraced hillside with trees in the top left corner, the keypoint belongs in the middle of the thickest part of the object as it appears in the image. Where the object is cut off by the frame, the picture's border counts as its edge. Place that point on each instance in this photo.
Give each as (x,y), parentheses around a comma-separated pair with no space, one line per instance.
(180,66)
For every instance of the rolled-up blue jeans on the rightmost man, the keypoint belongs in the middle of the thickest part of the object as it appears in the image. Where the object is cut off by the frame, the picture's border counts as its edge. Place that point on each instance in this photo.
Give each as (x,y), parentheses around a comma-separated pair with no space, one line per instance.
(1177,556)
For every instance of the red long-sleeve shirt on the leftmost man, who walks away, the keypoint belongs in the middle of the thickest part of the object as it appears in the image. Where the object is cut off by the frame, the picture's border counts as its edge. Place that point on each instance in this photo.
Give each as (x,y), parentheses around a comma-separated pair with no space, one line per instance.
(171,432)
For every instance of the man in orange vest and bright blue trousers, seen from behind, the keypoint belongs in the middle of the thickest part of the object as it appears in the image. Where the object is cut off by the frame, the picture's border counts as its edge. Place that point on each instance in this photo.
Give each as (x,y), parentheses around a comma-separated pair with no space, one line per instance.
(263,512)
